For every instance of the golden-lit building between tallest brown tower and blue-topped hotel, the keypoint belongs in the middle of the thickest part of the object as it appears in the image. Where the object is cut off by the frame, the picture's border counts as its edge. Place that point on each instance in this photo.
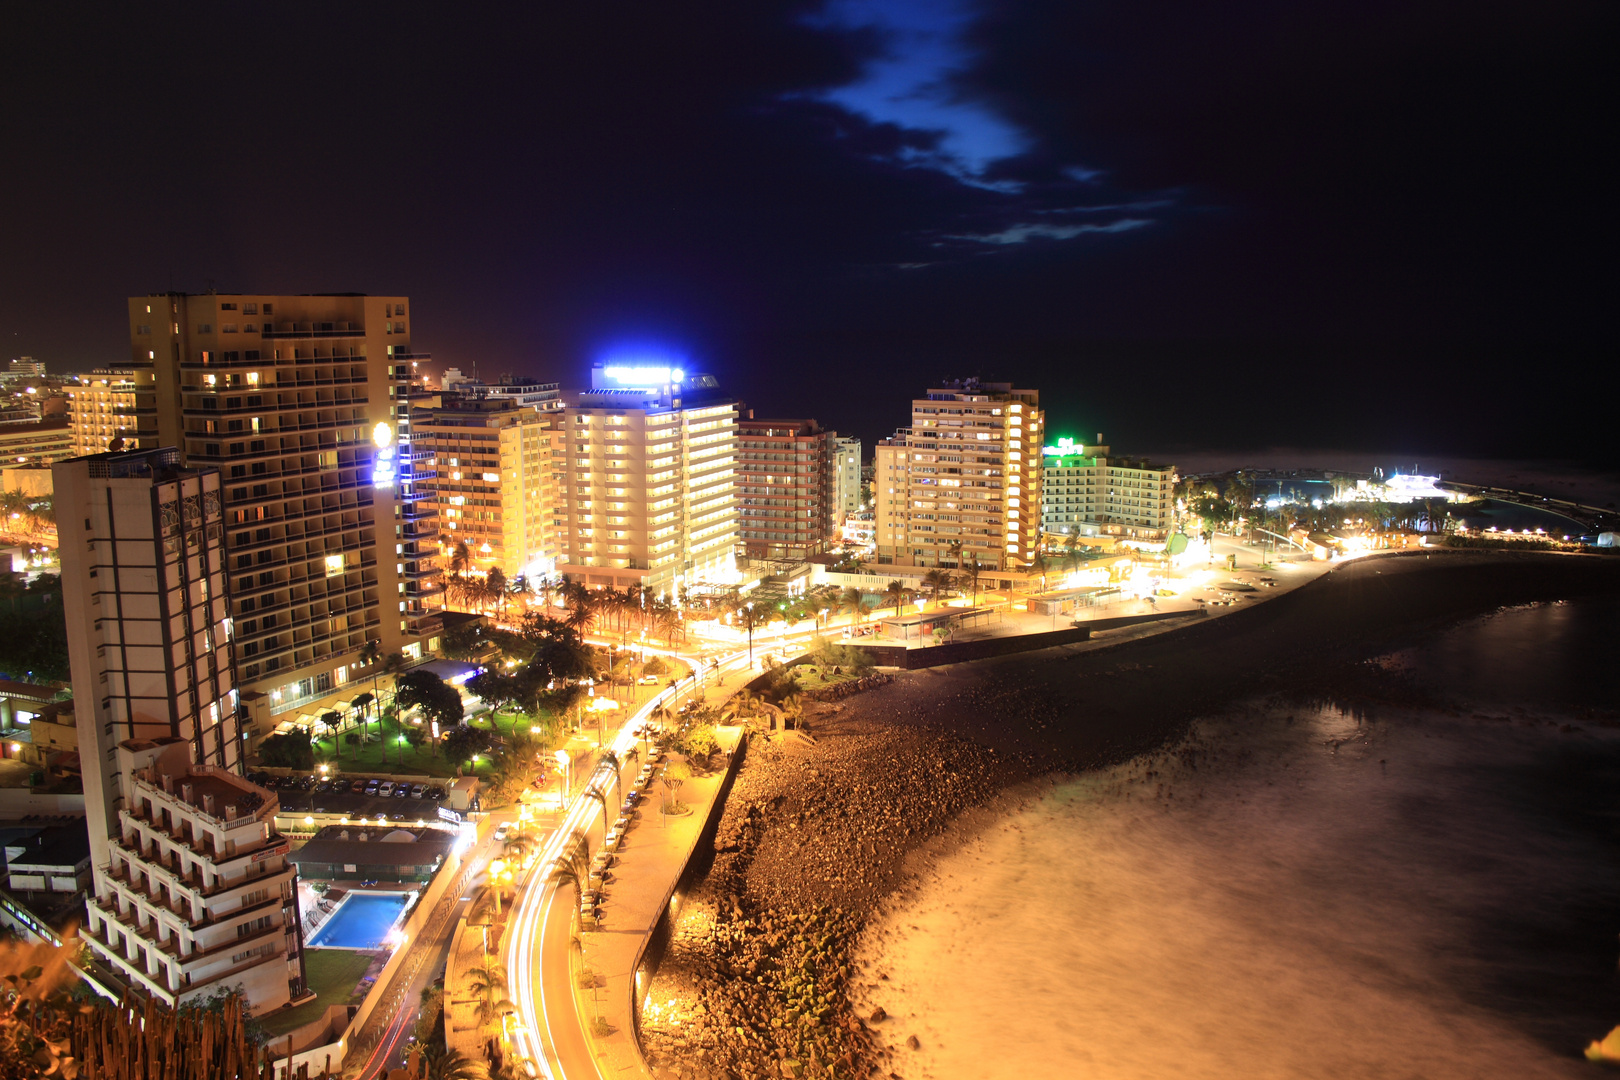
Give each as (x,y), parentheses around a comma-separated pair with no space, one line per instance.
(498,483)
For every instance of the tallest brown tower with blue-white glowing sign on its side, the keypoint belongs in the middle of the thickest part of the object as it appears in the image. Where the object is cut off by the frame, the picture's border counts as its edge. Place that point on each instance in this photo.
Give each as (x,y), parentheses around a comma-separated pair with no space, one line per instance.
(304,406)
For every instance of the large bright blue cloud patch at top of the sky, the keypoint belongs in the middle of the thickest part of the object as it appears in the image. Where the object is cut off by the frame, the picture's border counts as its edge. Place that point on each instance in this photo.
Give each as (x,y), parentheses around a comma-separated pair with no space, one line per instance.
(913,85)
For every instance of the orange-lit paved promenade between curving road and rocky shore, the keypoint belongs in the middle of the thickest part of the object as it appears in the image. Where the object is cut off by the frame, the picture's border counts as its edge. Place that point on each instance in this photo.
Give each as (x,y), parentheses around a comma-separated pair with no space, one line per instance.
(652,861)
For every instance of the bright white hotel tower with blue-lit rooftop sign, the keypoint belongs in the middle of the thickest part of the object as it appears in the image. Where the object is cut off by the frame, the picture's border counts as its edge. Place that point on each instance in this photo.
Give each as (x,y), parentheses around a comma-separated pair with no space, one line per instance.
(650,459)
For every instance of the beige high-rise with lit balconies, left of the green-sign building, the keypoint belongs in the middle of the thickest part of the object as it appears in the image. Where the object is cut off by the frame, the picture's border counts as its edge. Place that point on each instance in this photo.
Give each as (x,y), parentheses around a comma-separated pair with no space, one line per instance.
(973,477)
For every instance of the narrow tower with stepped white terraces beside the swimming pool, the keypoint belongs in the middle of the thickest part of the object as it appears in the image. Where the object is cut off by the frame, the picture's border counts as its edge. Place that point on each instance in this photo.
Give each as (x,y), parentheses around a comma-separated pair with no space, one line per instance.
(192,888)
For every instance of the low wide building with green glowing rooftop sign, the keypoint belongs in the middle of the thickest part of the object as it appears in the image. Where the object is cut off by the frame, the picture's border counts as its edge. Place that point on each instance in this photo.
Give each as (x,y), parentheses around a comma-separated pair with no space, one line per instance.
(1085,491)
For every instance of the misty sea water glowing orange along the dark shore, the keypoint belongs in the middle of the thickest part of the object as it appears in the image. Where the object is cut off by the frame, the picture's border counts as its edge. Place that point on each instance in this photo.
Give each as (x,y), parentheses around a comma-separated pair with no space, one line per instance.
(1329,890)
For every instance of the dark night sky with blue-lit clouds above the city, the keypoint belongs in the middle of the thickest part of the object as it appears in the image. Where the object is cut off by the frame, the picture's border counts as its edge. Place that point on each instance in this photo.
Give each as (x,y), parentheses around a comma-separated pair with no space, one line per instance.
(1362,226)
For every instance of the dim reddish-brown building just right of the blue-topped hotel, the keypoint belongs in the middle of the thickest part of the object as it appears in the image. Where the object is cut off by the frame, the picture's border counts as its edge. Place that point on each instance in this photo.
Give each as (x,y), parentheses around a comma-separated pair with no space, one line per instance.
(785,488)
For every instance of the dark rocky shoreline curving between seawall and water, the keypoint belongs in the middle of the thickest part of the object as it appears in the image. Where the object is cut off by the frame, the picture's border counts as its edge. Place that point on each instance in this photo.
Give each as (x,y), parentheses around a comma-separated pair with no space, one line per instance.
(814,841)
